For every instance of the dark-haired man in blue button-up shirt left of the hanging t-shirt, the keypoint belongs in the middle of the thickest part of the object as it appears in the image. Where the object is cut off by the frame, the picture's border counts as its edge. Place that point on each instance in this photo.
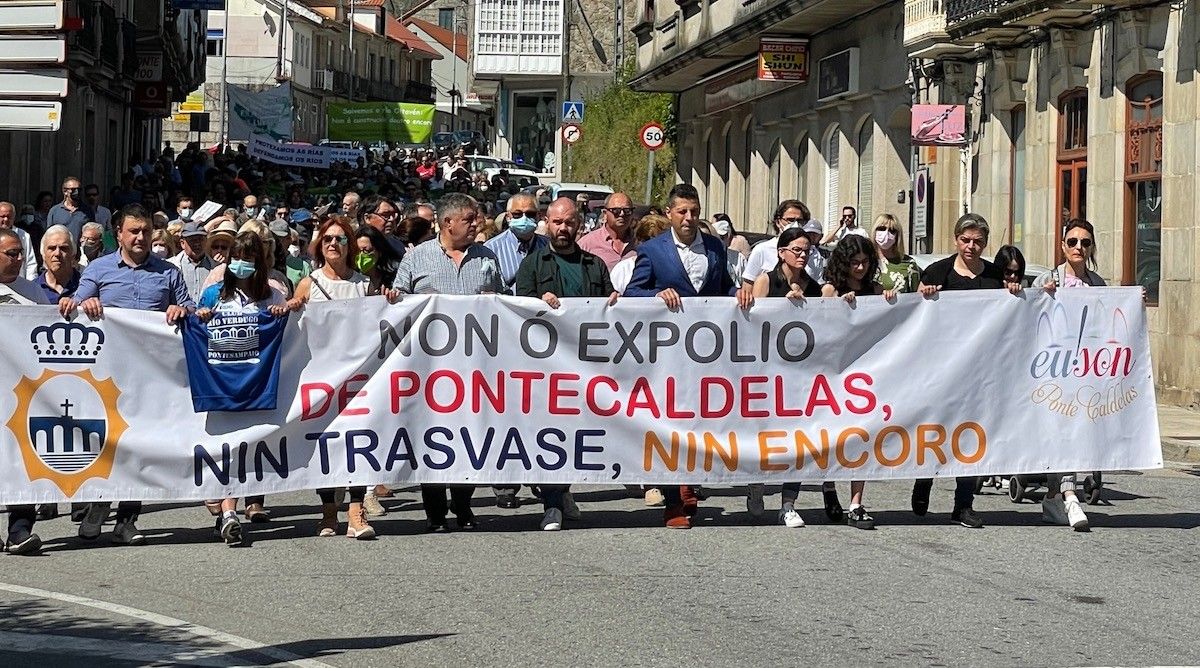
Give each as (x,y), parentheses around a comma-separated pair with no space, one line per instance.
(129,279)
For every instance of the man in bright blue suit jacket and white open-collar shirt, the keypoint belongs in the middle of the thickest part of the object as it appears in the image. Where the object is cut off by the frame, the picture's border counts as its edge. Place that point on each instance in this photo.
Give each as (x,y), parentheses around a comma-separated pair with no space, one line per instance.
(683,263)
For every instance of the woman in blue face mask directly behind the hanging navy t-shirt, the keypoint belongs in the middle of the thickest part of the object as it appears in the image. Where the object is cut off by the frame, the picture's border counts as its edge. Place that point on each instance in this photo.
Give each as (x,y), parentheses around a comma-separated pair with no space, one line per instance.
(243,290)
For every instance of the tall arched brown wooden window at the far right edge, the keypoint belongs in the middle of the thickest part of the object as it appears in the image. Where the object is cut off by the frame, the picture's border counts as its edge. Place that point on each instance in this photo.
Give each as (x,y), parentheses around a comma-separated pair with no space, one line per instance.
(1142,251)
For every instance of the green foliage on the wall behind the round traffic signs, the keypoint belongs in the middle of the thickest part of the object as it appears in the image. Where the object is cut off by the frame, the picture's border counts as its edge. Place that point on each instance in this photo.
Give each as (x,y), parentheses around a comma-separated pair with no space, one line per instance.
(611,153)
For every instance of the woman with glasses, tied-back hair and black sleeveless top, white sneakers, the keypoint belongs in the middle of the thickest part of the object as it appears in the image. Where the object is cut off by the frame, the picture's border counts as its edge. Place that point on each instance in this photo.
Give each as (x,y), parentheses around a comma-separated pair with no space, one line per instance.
(788,280)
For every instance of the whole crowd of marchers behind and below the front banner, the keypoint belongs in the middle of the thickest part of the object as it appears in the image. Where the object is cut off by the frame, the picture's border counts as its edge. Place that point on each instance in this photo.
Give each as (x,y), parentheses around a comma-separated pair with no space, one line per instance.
(377,231)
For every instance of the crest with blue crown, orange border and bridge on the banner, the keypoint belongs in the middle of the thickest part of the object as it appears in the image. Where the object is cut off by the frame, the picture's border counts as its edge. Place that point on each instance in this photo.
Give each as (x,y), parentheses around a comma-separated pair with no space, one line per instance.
(67,423)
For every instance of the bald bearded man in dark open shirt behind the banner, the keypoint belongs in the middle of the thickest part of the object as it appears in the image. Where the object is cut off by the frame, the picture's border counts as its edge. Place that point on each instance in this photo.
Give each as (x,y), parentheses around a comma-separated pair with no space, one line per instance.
(562,270)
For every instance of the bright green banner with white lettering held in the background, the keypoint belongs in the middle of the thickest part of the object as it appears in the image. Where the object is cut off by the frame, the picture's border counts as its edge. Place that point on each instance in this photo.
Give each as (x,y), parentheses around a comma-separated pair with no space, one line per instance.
(381,122)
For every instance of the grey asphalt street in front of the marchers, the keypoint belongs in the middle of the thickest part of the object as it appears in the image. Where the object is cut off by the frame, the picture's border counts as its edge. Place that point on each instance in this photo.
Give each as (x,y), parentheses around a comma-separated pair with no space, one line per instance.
(616,589)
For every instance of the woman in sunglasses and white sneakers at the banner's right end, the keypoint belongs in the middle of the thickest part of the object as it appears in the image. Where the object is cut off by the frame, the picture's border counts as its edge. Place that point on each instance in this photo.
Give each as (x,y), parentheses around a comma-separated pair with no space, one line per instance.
(1060,505)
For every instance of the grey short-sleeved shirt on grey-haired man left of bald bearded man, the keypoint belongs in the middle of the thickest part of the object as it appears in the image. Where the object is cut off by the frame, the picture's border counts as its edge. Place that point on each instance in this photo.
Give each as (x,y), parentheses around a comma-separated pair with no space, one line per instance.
(429,270)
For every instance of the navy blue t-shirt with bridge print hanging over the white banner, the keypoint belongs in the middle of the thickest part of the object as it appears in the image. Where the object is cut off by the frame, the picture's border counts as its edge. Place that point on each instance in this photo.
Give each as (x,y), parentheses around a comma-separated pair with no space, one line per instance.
(233,360)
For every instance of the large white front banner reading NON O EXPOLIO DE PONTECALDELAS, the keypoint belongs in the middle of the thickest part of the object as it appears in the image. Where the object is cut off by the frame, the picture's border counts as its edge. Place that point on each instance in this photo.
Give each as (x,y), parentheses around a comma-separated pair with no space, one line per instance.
(501,390)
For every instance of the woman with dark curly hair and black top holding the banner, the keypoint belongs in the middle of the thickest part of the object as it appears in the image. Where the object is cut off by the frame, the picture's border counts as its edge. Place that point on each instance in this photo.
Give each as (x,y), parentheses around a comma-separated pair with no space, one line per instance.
(851,272)
